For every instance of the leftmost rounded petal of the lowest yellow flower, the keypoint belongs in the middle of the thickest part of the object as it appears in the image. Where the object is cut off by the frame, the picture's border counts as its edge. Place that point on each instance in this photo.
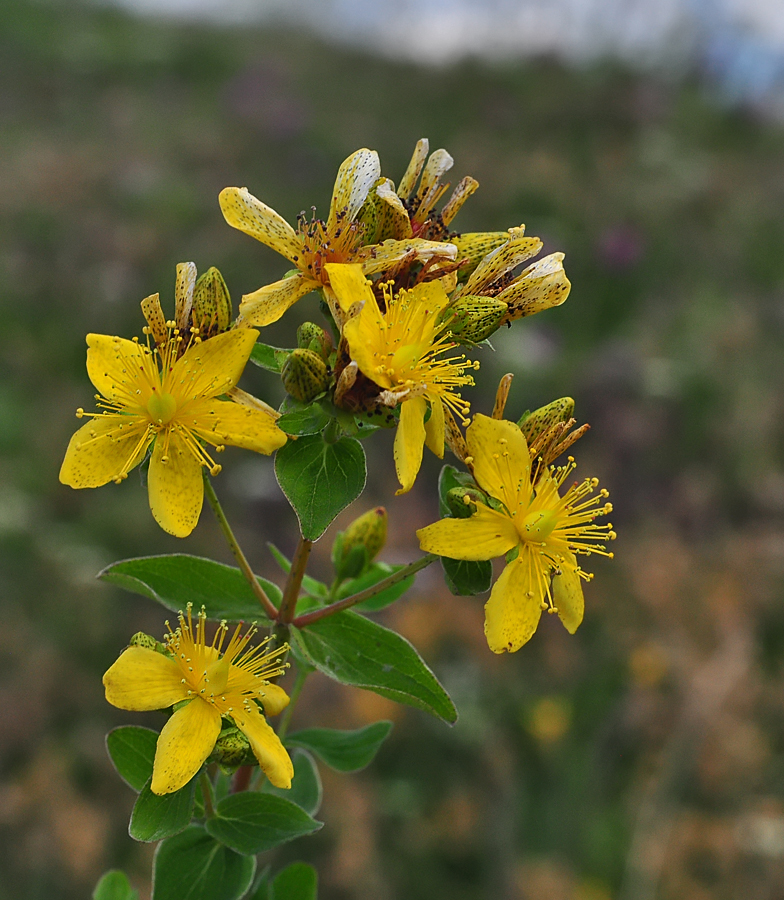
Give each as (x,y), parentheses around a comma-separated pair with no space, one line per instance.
(142,679)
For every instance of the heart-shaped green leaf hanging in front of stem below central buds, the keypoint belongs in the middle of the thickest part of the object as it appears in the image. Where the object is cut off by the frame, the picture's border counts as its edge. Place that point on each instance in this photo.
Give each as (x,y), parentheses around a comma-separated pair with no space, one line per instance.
(320,479)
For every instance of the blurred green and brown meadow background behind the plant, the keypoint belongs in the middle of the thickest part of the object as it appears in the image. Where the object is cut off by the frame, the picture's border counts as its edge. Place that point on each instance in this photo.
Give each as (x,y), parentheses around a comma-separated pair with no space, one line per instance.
(642,758)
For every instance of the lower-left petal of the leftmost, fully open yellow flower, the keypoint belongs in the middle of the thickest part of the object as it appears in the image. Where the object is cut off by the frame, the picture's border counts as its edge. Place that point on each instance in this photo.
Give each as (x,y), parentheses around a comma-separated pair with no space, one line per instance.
(103,449)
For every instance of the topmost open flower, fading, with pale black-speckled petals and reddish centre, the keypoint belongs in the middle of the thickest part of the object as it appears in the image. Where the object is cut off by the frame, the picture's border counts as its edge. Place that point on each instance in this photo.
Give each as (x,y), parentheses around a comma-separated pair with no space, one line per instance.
(315,243)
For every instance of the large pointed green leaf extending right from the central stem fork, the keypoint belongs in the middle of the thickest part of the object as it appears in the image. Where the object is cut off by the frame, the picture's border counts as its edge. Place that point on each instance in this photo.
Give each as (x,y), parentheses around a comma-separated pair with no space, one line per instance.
(354,650)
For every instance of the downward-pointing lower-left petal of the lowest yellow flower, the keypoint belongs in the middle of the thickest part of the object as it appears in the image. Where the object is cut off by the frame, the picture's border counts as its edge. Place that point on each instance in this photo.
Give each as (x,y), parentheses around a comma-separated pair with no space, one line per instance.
(184,744)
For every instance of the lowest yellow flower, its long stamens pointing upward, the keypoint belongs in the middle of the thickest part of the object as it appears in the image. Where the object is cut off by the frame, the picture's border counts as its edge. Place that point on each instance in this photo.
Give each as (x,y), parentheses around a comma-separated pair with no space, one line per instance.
(212,685)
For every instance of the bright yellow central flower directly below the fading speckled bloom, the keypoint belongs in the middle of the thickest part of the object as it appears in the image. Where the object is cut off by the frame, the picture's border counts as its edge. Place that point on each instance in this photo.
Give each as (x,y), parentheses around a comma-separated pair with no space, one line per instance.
(399,351)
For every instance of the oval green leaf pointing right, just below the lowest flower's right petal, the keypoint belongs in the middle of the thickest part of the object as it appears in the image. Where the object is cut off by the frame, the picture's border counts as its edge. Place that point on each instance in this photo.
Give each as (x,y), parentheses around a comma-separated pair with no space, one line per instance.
(252,822)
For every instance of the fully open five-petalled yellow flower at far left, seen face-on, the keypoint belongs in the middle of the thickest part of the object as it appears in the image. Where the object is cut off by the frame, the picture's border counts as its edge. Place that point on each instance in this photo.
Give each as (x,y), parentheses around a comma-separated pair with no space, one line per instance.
(167,399)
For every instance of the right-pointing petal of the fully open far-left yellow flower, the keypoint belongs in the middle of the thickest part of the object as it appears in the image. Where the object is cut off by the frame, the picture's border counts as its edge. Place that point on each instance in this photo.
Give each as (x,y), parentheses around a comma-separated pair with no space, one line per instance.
(238,425)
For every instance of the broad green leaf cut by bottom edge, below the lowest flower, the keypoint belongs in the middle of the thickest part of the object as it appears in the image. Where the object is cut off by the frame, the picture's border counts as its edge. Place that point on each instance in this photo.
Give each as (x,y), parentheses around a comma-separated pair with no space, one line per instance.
(193,866)
